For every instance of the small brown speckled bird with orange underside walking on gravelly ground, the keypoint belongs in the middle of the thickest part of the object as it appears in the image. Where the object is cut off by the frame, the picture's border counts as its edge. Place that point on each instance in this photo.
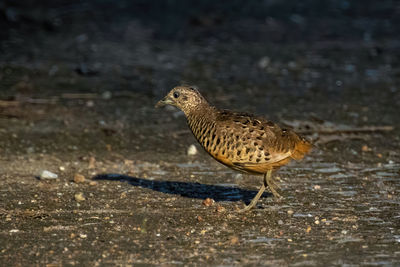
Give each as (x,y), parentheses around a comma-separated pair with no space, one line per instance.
(240,141)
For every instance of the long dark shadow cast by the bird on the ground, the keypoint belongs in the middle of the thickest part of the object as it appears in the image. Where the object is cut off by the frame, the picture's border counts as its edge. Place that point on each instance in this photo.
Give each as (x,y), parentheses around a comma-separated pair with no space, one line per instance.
(186,189)
